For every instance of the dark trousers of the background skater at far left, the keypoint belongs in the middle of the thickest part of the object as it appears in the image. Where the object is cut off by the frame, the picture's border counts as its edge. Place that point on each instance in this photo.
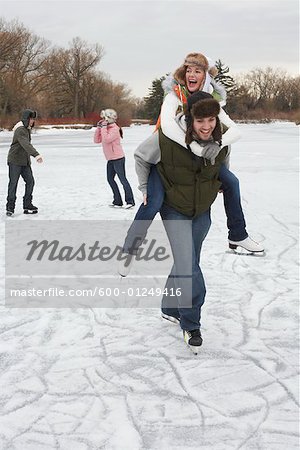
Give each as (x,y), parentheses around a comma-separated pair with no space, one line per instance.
(15,172)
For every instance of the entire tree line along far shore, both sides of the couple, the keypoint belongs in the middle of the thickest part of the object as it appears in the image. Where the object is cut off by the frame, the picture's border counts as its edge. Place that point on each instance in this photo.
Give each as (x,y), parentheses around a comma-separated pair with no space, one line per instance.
(67,83)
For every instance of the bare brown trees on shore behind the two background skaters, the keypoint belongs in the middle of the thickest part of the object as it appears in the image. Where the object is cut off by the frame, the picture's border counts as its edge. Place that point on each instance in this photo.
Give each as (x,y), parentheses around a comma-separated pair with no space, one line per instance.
(58,82)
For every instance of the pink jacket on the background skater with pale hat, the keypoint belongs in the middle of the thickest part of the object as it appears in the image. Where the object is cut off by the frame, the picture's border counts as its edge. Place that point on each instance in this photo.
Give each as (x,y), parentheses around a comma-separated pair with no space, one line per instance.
(110,139)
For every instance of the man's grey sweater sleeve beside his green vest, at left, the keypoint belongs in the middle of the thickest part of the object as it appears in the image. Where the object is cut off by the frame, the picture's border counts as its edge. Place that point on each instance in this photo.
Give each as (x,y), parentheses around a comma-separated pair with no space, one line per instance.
(146,154)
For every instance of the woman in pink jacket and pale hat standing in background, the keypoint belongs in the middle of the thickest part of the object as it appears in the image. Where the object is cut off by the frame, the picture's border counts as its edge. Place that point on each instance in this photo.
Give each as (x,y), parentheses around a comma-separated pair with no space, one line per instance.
(109,134)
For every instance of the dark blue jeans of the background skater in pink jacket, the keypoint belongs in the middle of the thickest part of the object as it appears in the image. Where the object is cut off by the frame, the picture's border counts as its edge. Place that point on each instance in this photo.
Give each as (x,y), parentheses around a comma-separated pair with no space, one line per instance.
(117,167)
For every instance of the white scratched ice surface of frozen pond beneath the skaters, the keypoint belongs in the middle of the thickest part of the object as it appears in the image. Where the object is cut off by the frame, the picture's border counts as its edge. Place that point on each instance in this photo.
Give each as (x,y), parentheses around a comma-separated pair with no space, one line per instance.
(122,379)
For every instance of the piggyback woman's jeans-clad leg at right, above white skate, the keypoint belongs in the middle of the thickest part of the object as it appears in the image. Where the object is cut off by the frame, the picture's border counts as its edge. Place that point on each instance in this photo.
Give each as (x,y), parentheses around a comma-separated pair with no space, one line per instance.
(232,202)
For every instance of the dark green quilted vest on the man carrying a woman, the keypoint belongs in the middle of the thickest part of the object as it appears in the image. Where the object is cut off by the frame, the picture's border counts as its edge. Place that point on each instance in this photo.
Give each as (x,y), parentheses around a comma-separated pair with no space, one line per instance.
(191,183)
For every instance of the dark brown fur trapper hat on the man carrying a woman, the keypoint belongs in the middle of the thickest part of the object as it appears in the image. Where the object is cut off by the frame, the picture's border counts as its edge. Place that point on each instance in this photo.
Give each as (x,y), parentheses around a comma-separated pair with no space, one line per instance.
(201,105)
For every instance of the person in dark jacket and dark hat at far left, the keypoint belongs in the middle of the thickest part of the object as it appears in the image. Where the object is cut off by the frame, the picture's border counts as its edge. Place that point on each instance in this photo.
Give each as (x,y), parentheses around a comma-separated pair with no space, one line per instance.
(19,163)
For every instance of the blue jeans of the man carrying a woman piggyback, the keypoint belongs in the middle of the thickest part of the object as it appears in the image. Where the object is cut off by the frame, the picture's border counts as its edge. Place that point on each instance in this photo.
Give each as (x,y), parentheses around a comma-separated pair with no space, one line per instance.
(186,238)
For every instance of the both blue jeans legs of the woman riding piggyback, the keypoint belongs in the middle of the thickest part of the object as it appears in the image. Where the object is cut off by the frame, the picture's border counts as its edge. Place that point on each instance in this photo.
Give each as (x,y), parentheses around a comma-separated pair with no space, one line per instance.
(155,196)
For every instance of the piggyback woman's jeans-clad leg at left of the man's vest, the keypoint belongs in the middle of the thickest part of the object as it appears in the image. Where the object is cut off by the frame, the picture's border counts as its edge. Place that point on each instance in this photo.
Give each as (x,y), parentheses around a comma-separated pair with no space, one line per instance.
(145,214)
